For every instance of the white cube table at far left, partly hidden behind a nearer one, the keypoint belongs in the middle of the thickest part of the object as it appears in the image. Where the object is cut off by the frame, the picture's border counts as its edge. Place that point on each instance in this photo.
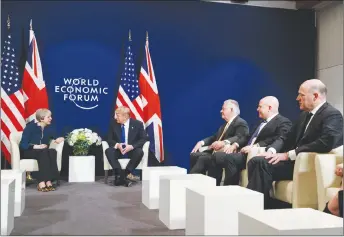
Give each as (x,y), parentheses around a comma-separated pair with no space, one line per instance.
(20,184)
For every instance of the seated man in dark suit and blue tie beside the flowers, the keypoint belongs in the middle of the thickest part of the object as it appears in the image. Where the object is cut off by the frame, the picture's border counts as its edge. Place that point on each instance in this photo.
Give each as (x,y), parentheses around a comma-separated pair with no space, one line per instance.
(126,138)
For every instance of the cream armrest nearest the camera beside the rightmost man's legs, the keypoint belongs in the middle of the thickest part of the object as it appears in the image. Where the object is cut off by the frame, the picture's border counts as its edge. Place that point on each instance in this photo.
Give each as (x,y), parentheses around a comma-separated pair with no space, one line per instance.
(304,181)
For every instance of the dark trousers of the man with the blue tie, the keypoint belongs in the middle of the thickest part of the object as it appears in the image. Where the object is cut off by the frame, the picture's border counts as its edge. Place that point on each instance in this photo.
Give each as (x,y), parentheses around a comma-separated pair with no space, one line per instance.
(113,155)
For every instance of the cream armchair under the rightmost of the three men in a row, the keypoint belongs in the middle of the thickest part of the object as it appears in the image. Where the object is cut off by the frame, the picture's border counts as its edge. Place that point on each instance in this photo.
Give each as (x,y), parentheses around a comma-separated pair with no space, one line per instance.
(301,192)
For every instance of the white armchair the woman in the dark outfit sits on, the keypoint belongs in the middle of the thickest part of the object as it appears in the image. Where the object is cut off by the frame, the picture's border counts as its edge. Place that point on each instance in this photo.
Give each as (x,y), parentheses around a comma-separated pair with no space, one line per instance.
(29,165)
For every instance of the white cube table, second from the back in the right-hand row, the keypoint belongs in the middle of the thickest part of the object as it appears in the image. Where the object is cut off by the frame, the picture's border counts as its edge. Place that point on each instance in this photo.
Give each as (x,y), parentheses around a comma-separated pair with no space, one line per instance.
(172,197)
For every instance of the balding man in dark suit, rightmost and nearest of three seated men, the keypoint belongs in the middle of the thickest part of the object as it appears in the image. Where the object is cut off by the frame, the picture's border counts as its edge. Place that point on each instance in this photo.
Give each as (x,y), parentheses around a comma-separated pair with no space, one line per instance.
(319,129)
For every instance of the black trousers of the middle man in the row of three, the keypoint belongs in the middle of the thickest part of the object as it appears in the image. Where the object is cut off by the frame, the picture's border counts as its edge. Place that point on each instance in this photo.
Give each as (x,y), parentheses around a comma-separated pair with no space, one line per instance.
(232,163)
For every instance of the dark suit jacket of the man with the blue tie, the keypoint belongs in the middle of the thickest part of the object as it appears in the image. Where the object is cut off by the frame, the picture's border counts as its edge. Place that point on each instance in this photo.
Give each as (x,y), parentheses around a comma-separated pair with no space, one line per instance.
(137,136)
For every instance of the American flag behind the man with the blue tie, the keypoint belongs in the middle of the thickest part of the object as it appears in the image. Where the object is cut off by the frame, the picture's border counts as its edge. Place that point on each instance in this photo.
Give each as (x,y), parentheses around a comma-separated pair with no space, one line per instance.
(129,91)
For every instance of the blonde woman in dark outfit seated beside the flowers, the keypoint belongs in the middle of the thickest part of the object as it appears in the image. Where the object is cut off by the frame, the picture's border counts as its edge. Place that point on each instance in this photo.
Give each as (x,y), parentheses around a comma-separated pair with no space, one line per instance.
(34,144)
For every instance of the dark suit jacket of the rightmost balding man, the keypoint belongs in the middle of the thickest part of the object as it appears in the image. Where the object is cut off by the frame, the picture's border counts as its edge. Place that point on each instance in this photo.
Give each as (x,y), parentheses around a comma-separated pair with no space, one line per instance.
(324,132)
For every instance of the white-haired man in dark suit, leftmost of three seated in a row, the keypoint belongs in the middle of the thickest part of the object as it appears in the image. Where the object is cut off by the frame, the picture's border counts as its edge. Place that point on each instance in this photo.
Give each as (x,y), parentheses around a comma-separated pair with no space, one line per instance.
(229,133)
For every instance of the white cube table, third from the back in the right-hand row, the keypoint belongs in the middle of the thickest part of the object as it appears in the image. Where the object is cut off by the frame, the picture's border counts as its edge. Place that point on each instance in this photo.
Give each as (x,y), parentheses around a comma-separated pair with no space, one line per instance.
(214,210)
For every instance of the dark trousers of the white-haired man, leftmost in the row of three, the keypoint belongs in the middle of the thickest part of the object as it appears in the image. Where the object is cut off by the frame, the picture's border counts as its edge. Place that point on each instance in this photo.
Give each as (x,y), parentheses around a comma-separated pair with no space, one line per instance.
(199,162)
